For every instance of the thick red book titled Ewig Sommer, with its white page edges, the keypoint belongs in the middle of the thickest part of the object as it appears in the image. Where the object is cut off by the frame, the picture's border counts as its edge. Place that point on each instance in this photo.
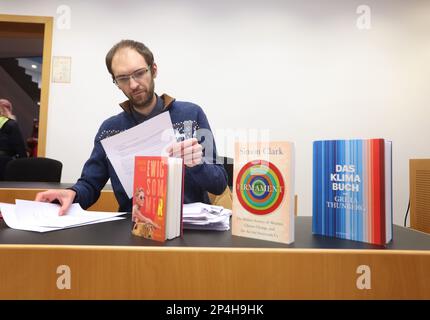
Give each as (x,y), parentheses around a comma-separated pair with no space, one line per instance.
(158,197)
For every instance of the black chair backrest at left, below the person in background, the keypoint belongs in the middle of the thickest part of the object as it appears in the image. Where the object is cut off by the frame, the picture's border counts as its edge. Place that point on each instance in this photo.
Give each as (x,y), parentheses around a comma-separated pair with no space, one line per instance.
(33,170)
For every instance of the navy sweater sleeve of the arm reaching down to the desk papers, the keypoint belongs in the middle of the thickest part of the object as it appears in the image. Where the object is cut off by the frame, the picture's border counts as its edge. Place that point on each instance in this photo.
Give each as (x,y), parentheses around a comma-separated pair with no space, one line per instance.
(94,176)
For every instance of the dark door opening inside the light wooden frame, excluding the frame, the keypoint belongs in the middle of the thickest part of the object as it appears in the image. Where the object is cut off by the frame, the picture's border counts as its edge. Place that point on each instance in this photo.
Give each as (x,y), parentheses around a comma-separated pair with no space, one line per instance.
(21,50)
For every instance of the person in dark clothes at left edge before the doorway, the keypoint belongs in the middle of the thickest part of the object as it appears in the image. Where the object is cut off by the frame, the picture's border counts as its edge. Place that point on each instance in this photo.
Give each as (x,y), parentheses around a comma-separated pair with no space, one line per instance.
(11,140)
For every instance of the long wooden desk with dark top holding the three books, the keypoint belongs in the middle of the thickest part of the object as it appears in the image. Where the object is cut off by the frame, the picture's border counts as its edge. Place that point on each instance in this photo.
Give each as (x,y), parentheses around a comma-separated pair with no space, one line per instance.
(105,261)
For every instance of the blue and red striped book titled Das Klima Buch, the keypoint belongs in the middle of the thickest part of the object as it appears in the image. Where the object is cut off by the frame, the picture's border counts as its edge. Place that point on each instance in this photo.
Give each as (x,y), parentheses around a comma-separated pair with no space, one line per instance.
(352,190)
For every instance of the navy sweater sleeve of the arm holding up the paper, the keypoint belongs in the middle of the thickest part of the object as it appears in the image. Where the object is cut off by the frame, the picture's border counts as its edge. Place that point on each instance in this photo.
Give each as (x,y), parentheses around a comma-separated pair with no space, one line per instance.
(209,175)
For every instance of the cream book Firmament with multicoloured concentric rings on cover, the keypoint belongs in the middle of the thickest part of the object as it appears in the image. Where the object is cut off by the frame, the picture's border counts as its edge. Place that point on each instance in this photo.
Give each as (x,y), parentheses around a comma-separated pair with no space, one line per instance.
(263,191)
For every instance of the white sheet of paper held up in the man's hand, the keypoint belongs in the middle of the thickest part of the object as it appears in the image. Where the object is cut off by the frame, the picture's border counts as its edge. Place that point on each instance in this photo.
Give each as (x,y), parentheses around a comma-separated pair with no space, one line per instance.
(150,138)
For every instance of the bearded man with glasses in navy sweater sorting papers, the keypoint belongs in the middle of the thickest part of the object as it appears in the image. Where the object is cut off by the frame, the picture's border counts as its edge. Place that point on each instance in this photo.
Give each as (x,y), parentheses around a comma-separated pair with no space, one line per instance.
(133,70)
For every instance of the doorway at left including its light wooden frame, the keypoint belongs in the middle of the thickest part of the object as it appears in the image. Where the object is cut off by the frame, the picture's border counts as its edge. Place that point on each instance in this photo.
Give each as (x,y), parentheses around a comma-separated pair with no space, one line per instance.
(25,63)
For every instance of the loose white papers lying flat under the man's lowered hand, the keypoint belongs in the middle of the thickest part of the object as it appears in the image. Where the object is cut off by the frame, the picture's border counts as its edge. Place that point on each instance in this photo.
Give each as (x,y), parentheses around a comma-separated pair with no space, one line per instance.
(42,217)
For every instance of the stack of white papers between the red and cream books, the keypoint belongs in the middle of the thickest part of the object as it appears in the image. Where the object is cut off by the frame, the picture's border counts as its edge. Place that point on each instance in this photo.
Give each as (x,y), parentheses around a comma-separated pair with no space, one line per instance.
(206,217)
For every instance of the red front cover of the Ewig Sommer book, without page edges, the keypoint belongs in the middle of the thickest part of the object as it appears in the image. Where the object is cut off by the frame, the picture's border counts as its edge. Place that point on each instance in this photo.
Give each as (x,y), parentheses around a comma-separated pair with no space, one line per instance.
(150,197)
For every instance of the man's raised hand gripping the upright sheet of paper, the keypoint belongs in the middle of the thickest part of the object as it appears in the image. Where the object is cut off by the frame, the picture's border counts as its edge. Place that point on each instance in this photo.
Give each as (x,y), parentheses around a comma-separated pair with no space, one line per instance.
(189,150)
